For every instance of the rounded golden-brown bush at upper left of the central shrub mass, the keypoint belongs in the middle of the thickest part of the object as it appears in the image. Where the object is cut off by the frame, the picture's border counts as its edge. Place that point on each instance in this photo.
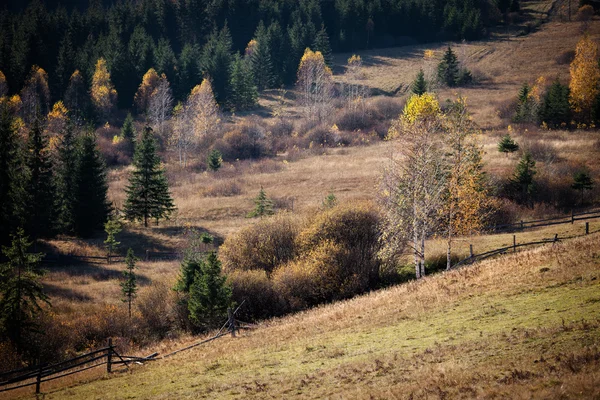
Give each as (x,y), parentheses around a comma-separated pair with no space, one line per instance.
(262,246)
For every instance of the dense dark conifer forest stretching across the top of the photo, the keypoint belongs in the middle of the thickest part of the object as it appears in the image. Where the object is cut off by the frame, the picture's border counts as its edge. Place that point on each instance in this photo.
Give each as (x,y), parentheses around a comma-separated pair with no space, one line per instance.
(187,40)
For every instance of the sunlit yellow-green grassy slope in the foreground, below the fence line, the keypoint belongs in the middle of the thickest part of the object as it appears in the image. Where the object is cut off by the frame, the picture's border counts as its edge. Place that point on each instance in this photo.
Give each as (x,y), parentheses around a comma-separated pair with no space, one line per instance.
(517,327)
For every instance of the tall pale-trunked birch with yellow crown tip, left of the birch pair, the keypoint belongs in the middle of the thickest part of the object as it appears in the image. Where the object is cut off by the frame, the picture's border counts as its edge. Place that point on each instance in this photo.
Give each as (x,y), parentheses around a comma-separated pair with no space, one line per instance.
(412,190)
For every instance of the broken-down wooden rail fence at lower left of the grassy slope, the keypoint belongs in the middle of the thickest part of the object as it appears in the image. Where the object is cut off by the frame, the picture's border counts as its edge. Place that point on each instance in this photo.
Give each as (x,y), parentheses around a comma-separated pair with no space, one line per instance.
(41,373)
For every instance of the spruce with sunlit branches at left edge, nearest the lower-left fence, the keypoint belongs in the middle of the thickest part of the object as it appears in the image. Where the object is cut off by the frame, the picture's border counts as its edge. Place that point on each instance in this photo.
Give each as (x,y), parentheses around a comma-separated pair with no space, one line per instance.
(21,291)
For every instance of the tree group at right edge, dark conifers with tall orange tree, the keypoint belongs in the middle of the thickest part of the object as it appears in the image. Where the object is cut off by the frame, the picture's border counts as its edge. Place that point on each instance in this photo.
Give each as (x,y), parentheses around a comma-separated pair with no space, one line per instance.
(558,105)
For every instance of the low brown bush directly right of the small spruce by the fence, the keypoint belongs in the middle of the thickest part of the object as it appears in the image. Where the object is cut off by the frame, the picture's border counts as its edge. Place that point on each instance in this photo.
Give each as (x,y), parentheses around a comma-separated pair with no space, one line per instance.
(261,299)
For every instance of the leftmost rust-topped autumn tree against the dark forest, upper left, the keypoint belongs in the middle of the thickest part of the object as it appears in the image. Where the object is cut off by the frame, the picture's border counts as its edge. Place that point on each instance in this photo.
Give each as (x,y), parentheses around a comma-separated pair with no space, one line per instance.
(35,96)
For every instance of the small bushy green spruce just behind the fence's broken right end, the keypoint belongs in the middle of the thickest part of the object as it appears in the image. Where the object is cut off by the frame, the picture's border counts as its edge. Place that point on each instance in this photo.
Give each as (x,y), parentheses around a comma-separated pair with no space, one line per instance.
(209,295)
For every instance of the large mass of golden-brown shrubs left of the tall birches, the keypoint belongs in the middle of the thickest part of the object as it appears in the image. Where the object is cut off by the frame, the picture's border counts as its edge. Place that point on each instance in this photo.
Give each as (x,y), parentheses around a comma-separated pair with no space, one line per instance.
(284,264)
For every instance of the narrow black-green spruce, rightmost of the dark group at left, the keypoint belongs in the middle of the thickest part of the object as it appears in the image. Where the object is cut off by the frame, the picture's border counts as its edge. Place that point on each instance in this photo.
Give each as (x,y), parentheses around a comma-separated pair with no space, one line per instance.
(91,205)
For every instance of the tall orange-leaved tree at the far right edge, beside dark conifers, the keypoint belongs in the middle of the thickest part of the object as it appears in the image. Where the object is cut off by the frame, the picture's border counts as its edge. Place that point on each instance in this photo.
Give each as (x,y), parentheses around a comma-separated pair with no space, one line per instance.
(585,77)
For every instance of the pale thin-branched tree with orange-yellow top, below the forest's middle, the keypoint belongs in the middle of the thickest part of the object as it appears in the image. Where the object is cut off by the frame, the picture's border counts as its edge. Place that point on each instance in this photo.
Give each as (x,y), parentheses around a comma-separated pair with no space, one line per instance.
(315,84)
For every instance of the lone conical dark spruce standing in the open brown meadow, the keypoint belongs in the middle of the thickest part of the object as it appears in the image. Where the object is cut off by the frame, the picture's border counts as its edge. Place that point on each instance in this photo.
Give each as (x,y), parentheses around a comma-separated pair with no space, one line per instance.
(148,192)
